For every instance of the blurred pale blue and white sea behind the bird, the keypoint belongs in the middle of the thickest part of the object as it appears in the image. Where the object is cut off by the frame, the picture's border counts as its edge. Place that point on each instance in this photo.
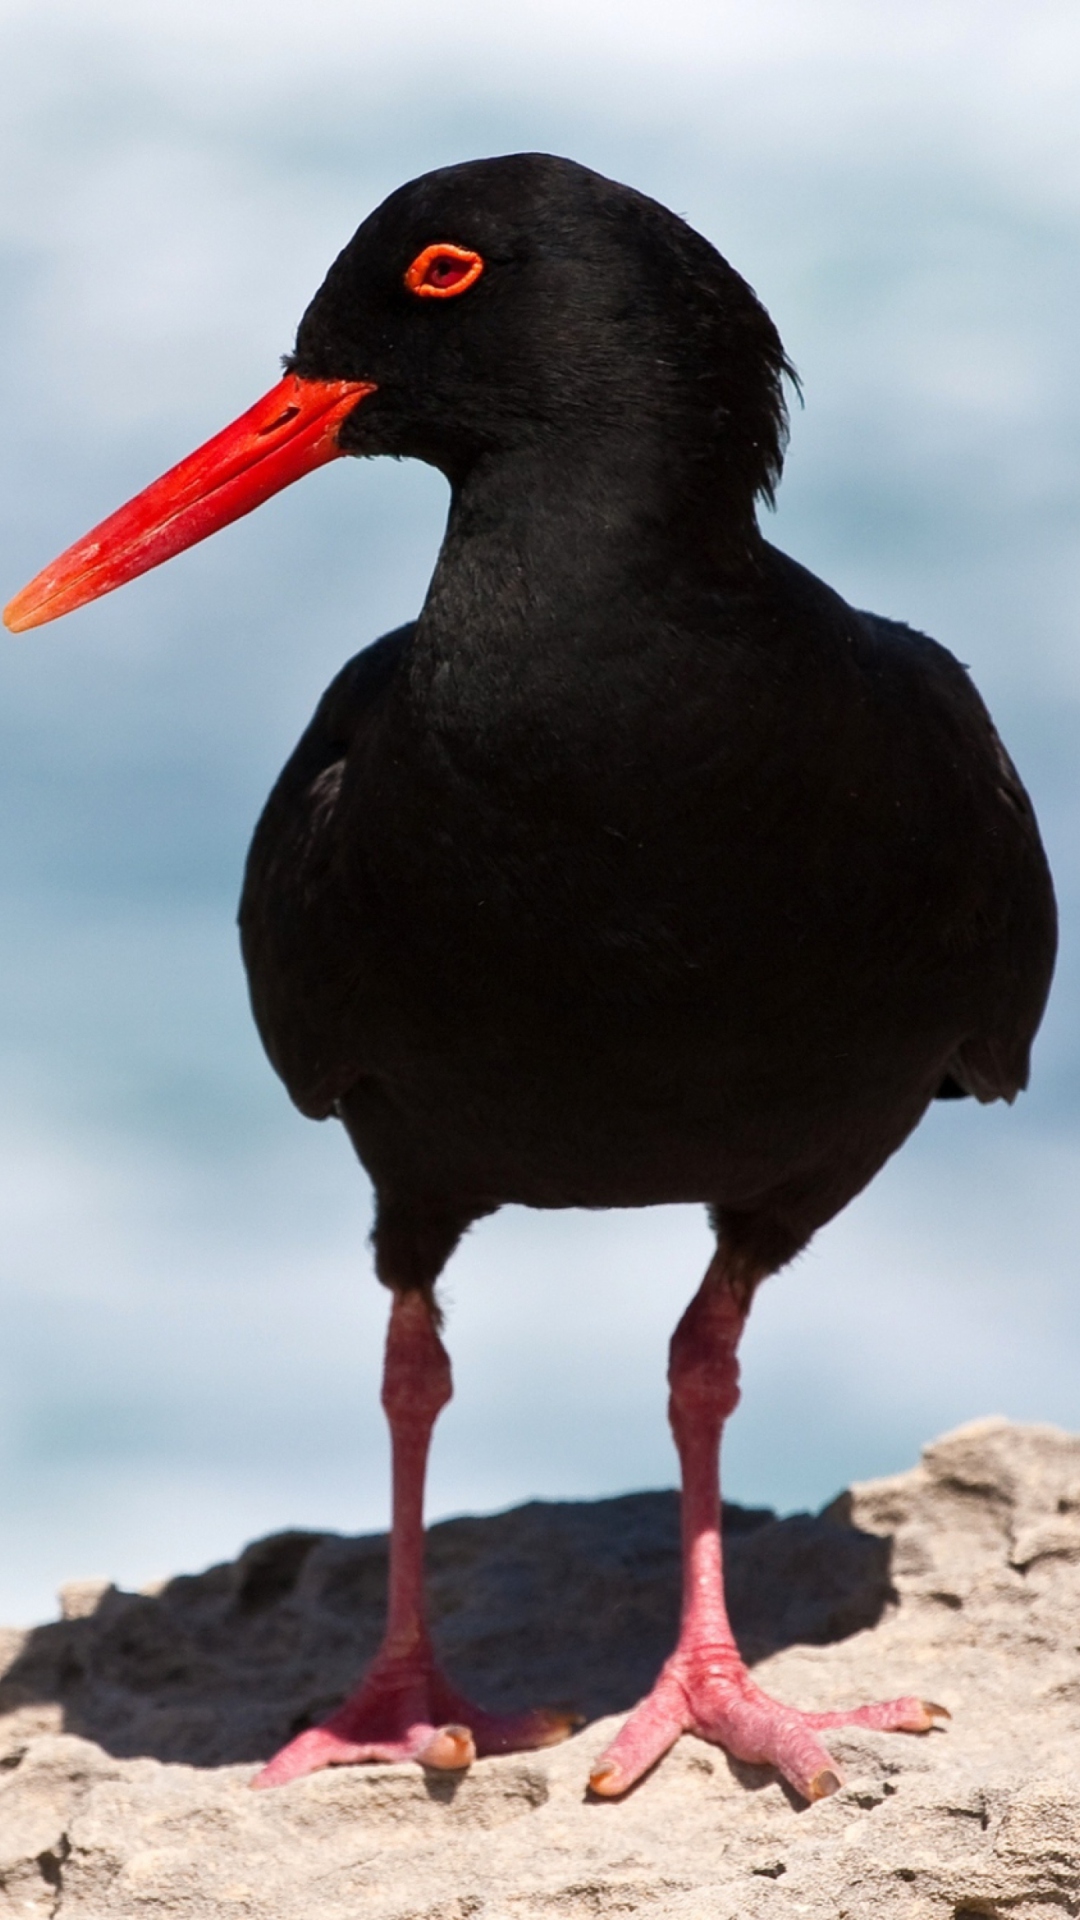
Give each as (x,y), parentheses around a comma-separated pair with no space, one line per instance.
(191,1333)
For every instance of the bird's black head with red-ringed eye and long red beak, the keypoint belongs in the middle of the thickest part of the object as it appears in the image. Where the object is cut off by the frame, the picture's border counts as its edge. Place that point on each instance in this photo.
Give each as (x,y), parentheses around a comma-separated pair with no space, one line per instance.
(503,306)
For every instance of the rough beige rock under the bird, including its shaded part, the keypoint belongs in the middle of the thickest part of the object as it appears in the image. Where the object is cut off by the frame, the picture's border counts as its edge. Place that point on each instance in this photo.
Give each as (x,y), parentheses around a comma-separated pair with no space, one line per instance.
(130,1729)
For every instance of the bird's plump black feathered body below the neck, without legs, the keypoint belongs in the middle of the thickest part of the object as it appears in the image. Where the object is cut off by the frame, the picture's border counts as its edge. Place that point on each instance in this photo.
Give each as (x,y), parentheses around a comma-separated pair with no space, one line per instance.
(710,919)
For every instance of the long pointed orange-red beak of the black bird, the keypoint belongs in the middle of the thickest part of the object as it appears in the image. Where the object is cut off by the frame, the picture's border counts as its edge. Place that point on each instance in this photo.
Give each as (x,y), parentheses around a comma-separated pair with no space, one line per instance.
(283,437)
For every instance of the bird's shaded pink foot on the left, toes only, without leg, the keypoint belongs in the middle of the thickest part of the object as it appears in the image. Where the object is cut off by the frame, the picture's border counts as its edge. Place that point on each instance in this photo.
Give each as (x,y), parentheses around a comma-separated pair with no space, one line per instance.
(405,1710)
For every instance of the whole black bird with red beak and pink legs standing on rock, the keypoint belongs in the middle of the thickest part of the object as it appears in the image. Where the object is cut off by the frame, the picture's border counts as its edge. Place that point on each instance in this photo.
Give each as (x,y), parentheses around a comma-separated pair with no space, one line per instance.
(637,869)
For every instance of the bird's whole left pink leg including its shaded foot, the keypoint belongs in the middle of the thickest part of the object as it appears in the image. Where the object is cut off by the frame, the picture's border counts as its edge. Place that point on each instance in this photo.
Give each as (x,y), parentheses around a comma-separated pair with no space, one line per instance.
(405,1710)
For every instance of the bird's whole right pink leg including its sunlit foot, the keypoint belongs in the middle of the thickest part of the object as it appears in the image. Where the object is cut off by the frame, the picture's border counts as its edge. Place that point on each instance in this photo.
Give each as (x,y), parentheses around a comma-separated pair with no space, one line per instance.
(704,1689)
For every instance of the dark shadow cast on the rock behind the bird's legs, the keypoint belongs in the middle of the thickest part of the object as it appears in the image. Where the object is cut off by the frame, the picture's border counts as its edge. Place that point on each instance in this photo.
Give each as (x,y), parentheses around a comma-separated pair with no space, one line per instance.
(556,1602)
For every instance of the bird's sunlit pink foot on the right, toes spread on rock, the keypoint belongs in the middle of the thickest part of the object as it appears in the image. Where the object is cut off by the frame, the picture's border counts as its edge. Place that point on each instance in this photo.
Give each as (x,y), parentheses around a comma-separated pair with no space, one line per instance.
(708,1692)
